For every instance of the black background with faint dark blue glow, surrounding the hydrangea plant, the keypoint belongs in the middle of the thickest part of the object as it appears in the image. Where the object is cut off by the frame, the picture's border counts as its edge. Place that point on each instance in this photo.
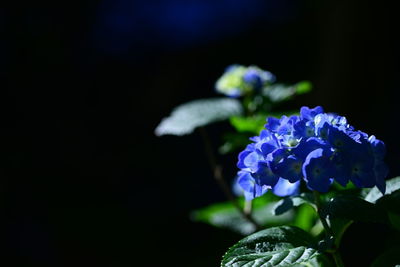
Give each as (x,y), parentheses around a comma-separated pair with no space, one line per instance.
(85,180)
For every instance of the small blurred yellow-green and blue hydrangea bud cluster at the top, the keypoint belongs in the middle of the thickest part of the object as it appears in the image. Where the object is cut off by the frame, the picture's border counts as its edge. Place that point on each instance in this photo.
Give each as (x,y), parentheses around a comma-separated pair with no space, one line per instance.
(239,80)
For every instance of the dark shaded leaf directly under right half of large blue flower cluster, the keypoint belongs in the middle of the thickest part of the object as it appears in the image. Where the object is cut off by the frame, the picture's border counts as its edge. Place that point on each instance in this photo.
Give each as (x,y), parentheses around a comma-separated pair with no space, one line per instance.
(353,208)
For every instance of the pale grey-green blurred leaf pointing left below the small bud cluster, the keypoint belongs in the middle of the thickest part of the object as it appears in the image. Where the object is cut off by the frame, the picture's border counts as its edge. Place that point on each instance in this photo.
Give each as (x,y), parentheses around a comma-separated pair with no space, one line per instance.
(187,117)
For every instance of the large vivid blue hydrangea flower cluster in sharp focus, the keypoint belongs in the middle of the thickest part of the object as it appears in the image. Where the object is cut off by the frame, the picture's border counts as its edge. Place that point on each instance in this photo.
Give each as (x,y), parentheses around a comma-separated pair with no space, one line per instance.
(316,147)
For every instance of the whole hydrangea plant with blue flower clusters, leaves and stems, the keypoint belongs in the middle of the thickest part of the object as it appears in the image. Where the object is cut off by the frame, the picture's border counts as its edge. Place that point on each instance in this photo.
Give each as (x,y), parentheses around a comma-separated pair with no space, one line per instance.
(304,177)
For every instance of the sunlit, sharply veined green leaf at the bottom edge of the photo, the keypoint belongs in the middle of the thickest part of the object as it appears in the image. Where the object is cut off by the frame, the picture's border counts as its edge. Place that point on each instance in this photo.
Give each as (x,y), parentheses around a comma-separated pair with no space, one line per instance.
(277,246)
